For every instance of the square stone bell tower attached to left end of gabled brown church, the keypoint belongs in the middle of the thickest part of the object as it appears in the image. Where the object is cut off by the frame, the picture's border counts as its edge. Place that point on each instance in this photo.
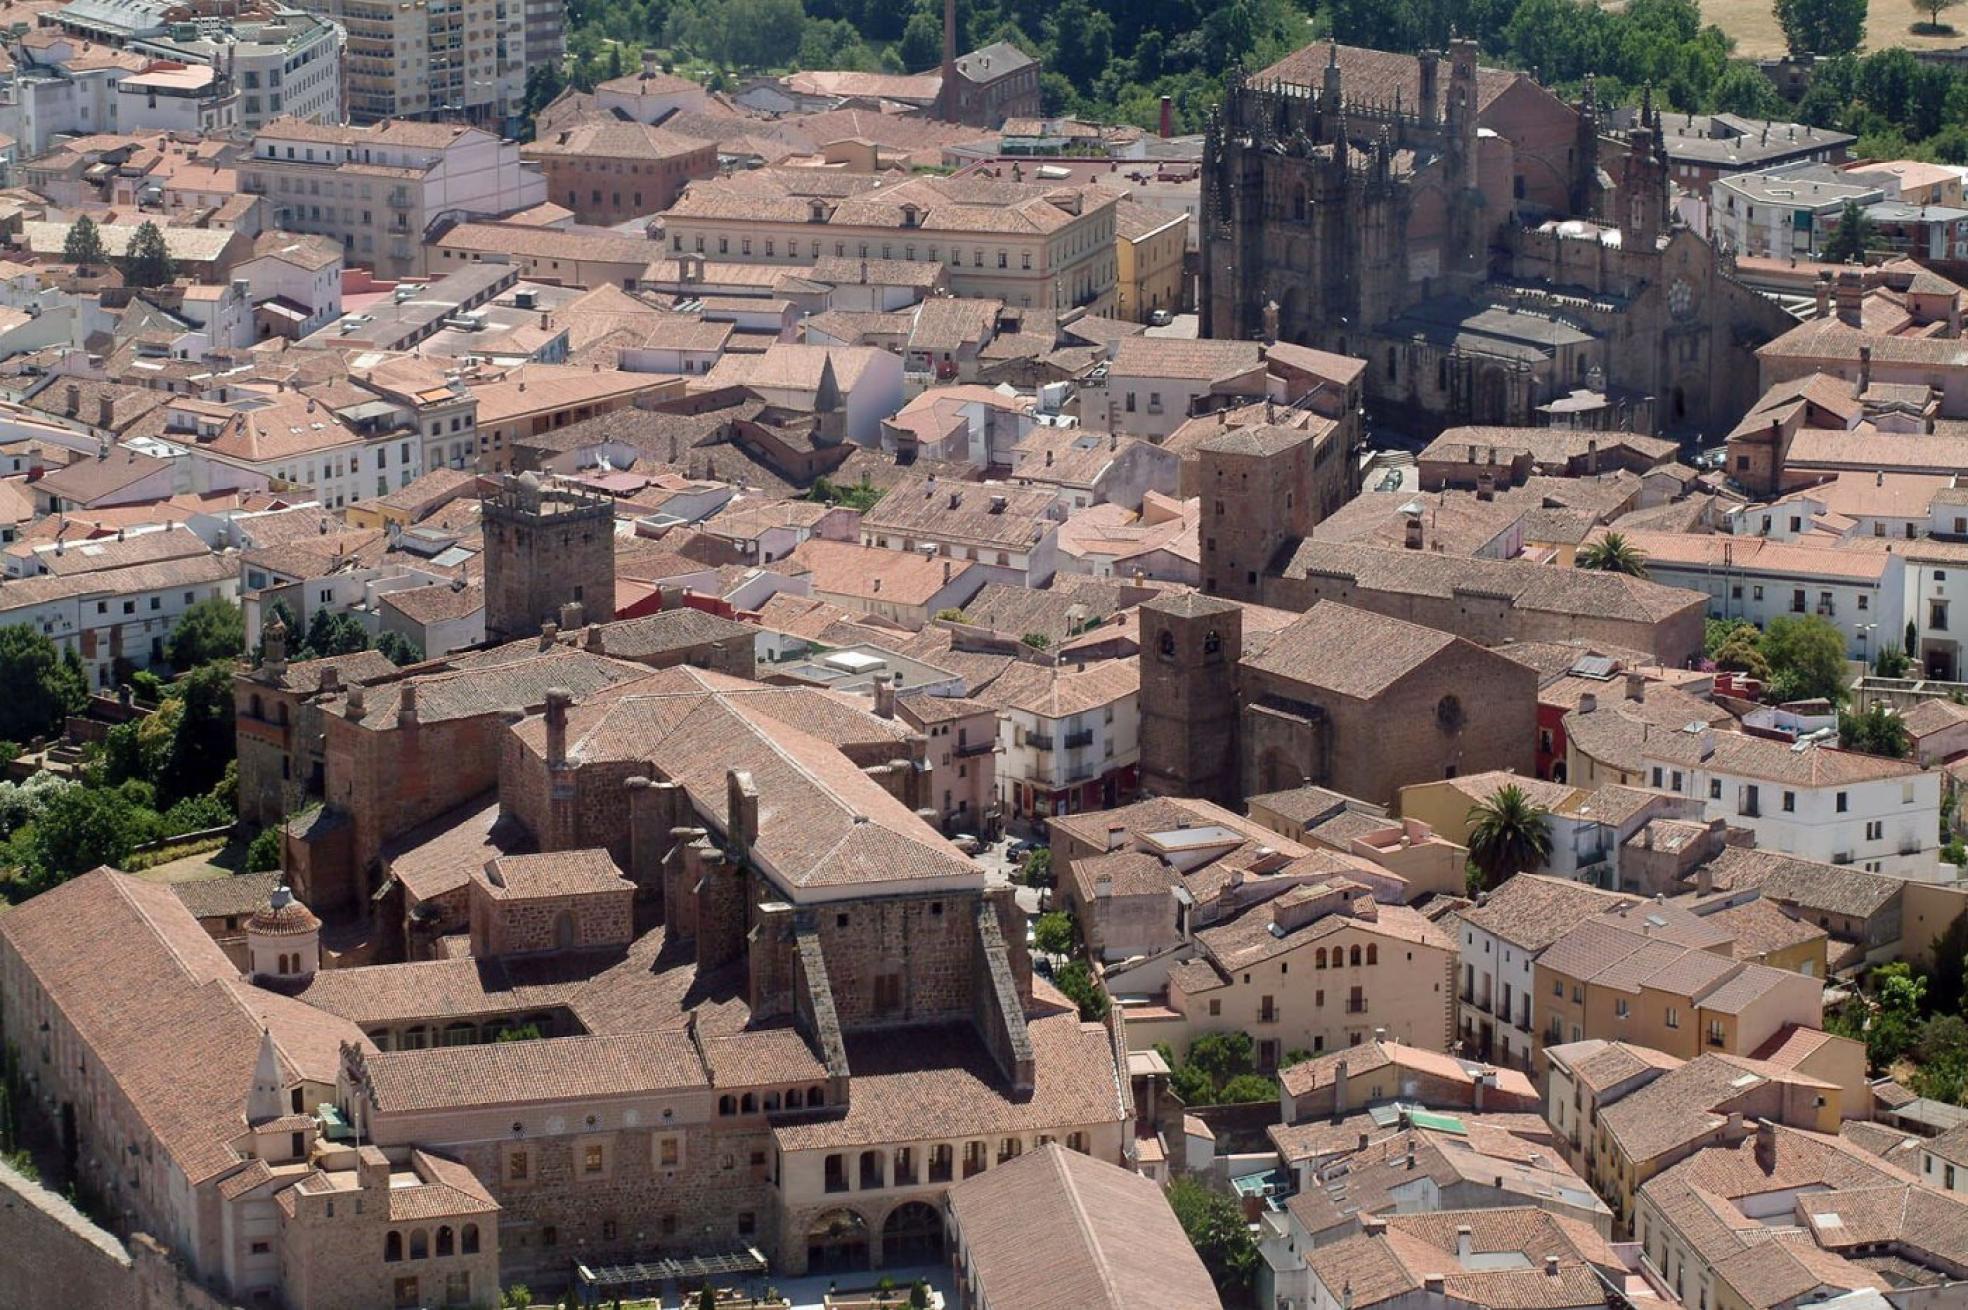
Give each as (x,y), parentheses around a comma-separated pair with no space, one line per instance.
(1190,697)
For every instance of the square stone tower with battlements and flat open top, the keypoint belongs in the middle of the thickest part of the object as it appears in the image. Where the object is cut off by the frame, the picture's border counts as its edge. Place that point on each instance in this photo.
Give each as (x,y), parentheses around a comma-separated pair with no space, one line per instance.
(546,550)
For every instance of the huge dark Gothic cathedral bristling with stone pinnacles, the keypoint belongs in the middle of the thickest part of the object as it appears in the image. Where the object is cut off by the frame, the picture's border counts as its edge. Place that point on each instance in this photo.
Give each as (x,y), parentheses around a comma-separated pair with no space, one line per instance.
(1489,251)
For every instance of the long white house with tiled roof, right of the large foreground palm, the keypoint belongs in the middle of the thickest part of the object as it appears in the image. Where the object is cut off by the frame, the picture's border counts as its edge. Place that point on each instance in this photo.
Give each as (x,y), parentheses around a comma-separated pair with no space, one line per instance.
(1808,800)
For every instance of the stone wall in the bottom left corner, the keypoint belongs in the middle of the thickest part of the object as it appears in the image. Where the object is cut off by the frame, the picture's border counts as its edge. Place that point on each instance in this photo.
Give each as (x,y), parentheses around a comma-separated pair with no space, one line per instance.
(48,1248)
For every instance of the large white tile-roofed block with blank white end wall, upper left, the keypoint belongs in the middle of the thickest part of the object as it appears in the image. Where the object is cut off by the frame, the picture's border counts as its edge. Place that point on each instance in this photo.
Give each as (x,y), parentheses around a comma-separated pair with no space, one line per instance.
(377,190)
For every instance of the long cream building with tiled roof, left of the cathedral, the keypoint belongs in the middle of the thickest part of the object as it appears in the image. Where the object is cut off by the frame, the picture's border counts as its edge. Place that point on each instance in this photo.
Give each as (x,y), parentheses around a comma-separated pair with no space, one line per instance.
(1018,243)
